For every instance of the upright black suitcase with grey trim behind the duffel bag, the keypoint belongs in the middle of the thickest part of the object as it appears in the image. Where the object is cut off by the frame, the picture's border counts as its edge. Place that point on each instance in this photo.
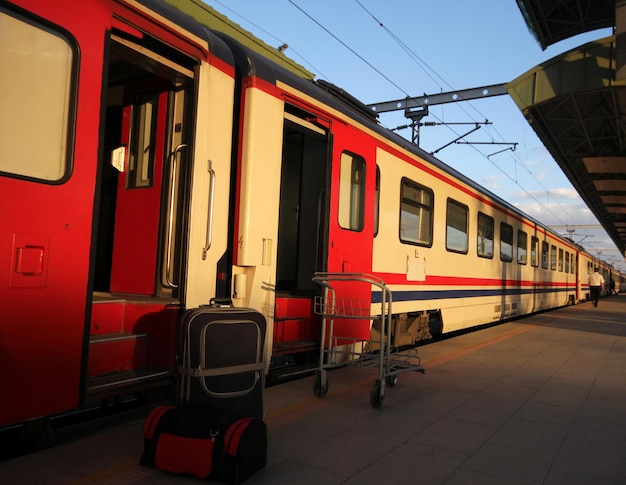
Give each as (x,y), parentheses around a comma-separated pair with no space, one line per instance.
(222,360)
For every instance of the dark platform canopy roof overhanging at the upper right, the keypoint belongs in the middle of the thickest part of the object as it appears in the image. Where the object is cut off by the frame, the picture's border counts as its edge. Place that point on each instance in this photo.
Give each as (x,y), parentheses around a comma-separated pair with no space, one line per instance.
(576,103)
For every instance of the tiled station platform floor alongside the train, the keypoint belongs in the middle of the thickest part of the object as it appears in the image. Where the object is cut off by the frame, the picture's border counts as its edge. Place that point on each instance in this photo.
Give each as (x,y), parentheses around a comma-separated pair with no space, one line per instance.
(541,400)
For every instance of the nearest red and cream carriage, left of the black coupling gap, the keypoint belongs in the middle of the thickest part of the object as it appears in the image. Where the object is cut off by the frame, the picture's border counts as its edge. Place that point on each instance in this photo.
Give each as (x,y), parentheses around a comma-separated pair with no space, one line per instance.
(117,127)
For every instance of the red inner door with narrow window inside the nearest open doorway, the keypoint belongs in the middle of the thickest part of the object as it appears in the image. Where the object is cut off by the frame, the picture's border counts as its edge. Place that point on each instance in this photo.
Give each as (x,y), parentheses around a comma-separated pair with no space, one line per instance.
(149,161)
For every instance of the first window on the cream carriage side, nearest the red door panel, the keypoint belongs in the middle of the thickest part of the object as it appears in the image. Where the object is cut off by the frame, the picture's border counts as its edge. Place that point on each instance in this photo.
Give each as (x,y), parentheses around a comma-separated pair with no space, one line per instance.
(416,214)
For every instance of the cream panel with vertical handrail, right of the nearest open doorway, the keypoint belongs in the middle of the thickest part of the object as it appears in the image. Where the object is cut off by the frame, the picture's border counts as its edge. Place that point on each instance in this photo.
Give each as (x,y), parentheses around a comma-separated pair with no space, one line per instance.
(212,143)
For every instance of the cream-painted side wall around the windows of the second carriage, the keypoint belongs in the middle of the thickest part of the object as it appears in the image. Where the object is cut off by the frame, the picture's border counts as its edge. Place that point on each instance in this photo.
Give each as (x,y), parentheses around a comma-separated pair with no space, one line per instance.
(391,256)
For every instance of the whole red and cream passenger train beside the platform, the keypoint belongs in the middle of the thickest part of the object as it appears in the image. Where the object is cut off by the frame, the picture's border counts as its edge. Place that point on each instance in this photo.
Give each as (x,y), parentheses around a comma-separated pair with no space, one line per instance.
(152,166)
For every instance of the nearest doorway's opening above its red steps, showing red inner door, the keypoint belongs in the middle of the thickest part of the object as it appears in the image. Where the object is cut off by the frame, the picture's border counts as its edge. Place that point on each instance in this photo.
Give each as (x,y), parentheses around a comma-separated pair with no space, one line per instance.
(143,178)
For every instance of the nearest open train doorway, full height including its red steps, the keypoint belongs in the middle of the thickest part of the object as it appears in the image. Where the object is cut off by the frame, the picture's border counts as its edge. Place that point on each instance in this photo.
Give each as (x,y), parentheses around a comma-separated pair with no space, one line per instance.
(141,206)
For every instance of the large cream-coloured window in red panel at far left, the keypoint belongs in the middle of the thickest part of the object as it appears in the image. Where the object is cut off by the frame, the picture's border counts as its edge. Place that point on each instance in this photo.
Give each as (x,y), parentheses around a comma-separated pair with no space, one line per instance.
(37,95)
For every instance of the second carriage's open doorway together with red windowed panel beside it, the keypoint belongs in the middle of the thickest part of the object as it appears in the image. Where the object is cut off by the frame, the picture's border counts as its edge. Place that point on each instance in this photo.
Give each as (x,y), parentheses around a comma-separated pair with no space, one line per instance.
(323,225)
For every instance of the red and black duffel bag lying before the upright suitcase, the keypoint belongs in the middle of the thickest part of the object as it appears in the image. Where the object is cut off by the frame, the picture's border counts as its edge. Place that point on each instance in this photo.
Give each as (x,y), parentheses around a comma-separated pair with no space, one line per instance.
(190,439)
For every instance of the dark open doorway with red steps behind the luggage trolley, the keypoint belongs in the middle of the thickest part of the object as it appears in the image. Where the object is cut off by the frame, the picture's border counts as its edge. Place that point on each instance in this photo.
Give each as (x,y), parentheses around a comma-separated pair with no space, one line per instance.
(302,232)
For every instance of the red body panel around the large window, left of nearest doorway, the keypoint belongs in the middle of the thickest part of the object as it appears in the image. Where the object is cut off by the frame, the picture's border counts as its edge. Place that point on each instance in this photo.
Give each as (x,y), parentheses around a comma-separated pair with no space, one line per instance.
(42,326)
